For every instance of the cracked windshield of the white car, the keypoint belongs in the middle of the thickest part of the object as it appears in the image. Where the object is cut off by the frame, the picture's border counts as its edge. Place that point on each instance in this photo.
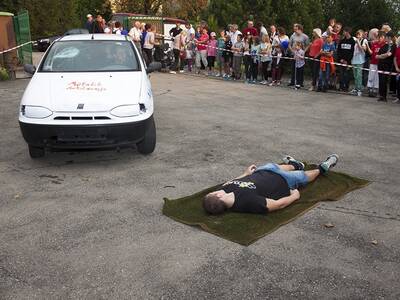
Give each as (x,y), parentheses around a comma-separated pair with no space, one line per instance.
(90,56)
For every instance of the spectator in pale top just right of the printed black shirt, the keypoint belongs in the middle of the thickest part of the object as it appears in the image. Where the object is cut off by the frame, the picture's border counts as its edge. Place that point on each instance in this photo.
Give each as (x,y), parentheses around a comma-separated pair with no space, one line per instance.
(358,61)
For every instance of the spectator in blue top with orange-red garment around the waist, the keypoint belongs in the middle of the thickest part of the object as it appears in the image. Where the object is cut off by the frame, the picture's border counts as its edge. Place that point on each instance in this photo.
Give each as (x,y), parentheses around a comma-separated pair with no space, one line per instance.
(327,66)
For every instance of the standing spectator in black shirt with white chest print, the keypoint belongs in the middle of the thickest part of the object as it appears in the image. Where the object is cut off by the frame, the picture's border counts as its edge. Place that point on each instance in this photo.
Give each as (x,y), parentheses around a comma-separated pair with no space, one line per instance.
(345,53)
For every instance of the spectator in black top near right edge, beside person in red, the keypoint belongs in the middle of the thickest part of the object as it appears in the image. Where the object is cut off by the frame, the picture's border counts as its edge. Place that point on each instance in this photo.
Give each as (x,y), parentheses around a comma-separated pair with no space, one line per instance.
(385,63)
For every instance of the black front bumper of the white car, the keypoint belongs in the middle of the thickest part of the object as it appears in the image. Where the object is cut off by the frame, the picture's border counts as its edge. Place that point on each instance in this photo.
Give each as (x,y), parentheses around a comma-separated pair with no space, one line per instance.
(84,136)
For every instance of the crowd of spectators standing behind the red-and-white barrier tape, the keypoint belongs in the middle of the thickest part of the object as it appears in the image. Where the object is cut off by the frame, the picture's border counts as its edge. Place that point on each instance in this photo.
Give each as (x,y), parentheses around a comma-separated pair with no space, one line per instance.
(335,56)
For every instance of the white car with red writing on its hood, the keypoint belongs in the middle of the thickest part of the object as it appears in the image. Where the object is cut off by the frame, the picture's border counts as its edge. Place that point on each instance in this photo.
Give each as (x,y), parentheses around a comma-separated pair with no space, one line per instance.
(89,91)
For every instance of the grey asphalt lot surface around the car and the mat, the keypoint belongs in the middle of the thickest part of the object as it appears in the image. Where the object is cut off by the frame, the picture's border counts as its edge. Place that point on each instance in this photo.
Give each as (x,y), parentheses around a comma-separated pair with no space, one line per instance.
(89,224)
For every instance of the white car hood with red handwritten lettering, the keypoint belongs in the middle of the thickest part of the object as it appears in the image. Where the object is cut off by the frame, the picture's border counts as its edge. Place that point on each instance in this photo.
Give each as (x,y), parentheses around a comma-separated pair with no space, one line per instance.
(91,92)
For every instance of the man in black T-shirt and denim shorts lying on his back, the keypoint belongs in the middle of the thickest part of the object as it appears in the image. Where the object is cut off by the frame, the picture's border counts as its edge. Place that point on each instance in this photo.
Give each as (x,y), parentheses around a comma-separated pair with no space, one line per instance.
(265,189)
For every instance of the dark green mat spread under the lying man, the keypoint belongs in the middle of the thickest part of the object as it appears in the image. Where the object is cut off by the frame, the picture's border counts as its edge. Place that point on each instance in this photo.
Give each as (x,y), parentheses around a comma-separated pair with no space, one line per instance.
(247,228)
